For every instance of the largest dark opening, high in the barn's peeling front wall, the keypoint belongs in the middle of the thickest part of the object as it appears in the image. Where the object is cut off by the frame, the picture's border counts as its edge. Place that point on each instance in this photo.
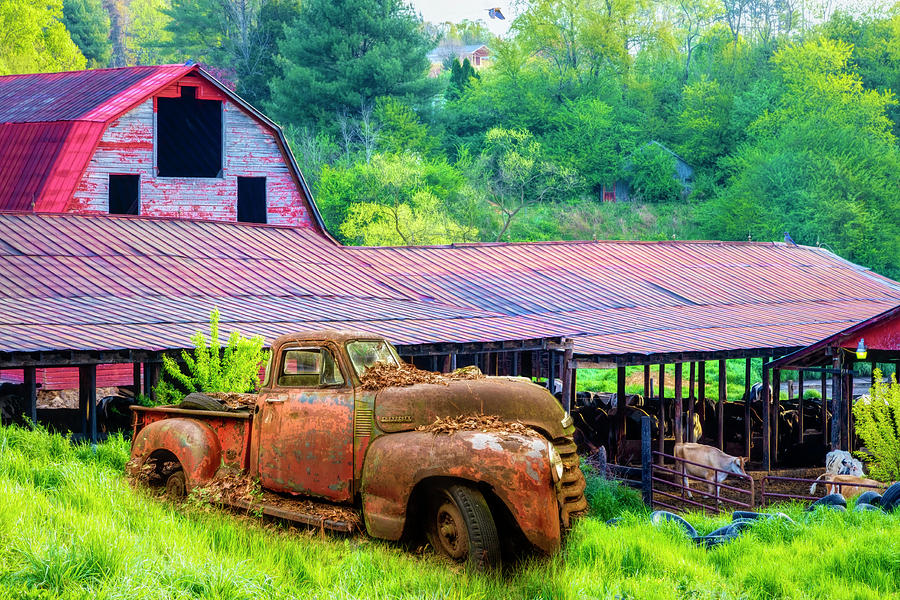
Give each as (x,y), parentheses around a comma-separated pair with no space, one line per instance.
(189,136)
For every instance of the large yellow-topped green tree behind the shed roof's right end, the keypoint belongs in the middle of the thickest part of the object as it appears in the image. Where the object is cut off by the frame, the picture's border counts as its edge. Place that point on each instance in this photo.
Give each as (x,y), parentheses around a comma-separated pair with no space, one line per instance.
(822,164)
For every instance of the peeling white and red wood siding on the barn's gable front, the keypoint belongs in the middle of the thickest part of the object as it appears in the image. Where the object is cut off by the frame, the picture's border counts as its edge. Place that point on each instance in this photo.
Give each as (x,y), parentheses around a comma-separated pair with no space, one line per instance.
(251,150)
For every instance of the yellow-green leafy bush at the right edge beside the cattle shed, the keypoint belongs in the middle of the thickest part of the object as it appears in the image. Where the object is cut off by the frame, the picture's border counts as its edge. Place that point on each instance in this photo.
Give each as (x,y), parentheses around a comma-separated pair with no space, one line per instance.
(878,424)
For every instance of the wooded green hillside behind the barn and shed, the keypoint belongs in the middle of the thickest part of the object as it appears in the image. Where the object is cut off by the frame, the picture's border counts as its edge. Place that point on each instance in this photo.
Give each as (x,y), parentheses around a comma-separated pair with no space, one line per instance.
(784,111)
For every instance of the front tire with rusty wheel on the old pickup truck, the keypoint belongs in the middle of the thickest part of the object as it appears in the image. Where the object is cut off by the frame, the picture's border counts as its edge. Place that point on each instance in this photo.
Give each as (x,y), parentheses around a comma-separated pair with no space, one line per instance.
(459,525)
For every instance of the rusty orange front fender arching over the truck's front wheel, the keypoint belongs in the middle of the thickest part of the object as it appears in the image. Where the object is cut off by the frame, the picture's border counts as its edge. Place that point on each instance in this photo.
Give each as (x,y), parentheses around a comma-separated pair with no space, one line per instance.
(515,467)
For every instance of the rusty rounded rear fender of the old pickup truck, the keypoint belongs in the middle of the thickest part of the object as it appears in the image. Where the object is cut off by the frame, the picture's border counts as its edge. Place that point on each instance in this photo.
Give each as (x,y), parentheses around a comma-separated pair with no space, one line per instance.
(193,443)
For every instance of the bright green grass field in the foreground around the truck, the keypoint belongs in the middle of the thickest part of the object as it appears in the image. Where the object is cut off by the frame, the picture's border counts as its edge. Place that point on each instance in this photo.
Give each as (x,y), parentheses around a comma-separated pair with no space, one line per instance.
(71,527)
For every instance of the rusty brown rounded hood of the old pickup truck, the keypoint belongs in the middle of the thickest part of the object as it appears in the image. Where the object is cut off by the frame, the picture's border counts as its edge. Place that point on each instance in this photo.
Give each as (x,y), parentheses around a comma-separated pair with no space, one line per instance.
(511,398)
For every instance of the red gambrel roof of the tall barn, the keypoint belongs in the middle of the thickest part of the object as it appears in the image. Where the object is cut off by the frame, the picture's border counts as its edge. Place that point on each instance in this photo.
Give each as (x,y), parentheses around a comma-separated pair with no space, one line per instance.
(50,124)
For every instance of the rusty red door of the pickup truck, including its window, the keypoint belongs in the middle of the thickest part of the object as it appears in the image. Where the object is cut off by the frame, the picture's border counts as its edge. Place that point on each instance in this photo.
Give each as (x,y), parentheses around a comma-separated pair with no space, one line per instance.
(306,429)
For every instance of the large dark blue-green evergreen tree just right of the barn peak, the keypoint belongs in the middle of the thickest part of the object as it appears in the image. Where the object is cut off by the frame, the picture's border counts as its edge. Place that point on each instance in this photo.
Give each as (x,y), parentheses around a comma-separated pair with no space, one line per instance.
(339,56)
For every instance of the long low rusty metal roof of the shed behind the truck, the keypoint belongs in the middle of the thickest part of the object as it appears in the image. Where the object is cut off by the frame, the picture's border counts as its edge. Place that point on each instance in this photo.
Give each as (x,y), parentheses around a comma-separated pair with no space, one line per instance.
(70,282)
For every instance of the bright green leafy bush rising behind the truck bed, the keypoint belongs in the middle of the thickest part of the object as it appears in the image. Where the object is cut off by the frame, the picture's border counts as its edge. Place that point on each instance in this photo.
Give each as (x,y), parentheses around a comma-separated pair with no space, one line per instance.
(209,368)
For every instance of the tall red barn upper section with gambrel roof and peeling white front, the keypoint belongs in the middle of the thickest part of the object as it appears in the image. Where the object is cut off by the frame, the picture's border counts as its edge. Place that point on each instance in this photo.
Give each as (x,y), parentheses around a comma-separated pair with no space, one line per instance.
(163,141)
